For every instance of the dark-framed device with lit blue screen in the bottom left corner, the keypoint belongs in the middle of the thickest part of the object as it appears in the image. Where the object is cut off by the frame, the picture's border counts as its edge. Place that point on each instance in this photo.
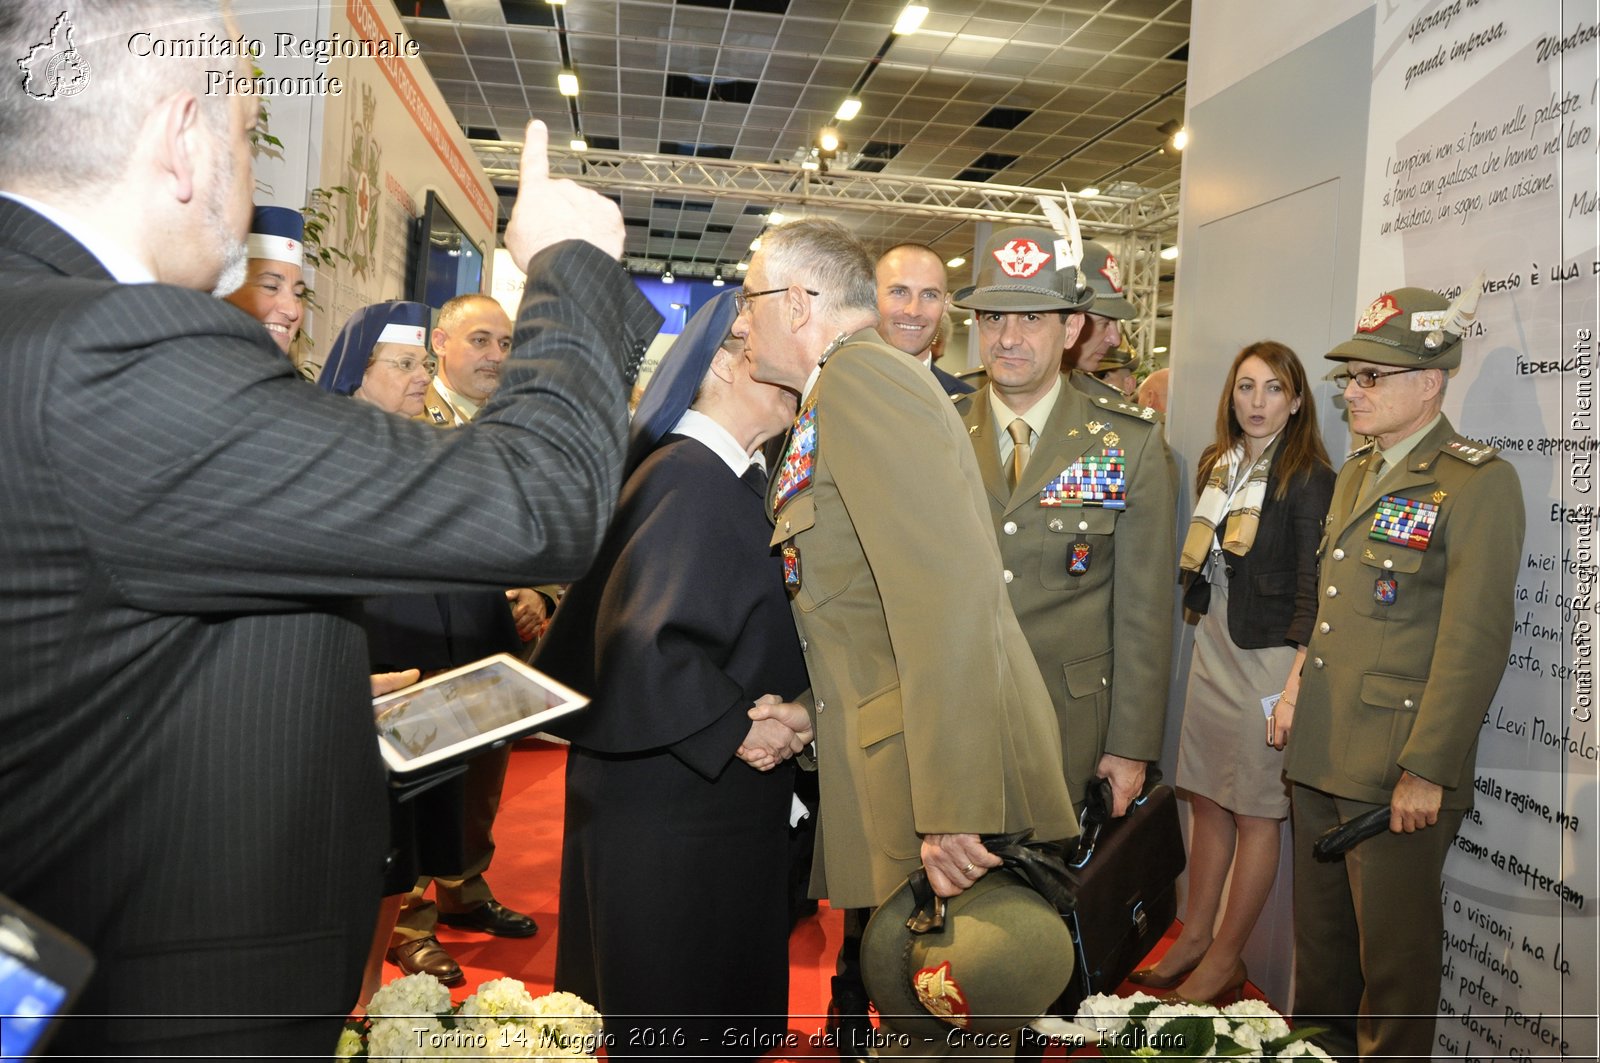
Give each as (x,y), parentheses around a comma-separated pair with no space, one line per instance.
(41,974)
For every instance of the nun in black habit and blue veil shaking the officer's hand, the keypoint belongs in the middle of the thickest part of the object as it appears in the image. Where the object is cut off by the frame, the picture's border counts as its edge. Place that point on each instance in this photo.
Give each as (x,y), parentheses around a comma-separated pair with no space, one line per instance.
(674,860)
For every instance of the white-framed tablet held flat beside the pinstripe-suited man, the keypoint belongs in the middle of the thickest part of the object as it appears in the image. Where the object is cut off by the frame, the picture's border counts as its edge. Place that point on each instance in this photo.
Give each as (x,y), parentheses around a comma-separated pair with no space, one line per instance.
(465,712)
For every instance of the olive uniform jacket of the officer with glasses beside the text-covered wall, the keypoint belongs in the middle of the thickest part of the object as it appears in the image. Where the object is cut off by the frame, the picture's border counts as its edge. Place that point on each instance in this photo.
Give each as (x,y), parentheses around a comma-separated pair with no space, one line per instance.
(1410,641)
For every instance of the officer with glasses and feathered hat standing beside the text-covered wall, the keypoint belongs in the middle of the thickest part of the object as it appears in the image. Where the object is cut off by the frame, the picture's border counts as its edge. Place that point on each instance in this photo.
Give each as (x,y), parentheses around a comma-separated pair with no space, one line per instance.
(1418,571)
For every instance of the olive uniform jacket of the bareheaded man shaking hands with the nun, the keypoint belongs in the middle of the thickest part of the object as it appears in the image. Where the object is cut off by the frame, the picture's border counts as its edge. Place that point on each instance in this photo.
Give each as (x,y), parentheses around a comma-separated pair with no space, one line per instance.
(930,713)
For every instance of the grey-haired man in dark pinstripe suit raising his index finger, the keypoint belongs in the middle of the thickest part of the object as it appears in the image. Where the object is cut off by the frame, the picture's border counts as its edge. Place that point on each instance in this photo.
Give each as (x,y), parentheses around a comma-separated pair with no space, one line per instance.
(185,724)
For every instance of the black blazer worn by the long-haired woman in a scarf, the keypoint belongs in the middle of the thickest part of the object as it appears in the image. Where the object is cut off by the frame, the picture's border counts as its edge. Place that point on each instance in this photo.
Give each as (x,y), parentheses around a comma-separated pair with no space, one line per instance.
(1273,588)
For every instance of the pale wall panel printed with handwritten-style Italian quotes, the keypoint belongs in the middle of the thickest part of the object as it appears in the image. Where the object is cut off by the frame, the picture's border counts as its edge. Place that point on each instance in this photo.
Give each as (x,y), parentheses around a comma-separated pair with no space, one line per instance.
(1482,156)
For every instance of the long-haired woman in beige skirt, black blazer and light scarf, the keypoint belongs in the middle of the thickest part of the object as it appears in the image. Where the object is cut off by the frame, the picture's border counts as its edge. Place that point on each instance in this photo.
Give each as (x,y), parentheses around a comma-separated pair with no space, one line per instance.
(1250,563)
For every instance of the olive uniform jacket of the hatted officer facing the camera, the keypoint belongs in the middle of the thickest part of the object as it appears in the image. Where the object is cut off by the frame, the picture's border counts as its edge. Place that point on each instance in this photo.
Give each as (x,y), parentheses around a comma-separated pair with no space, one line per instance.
(1103,638)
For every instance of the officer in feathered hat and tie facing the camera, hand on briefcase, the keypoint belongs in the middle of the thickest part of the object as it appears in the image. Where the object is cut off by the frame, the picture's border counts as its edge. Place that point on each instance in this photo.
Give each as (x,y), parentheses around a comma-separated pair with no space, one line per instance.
(1081,495)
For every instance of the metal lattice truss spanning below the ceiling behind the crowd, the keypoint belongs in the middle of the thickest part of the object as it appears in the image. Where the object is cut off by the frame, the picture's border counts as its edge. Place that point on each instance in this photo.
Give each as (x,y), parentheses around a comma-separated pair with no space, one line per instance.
(1130,220)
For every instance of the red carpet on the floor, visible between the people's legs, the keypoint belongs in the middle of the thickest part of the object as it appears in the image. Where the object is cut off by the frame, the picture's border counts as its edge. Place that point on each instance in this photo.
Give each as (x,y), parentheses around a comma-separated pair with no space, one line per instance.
(526,876)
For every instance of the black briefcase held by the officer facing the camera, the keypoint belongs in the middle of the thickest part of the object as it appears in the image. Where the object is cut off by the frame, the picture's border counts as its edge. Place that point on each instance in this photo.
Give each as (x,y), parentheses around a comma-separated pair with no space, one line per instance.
(1124,878)
